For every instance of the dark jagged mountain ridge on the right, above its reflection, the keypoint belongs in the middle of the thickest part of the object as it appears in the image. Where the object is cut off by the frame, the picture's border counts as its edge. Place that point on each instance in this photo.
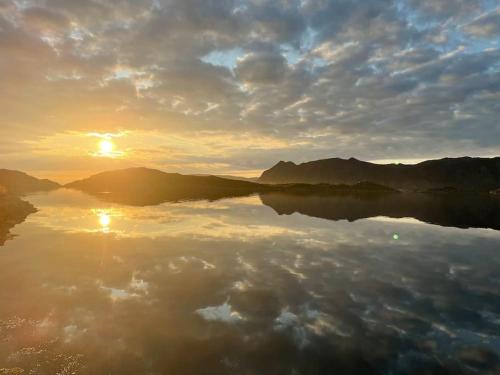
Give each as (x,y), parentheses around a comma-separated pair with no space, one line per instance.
(465,173)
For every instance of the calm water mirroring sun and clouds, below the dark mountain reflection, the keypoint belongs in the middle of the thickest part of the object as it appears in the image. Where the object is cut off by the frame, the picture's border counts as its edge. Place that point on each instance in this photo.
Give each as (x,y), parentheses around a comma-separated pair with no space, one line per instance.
(232,287)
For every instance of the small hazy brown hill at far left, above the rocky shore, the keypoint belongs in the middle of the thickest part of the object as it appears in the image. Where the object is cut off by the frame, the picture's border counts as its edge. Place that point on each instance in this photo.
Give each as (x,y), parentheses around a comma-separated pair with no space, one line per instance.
(19,183)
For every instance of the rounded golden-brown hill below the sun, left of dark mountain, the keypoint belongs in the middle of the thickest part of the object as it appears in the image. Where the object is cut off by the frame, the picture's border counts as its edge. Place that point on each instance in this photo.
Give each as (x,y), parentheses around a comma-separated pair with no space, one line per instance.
(144,186)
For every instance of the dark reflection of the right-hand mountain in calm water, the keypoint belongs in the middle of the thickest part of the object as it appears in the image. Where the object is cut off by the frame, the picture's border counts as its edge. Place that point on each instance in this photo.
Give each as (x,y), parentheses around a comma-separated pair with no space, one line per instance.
(454,210)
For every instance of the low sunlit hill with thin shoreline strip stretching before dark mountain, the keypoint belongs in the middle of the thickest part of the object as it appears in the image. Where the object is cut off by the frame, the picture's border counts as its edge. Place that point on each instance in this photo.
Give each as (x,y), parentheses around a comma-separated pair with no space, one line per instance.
(143,186)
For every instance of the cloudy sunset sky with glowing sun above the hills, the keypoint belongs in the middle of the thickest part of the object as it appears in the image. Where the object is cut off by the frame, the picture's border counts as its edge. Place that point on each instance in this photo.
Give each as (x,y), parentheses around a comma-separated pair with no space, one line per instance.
(234,86)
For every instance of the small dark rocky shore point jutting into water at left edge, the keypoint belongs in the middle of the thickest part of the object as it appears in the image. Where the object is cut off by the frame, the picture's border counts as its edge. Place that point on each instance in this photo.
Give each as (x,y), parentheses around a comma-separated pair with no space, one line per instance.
(12,211)
